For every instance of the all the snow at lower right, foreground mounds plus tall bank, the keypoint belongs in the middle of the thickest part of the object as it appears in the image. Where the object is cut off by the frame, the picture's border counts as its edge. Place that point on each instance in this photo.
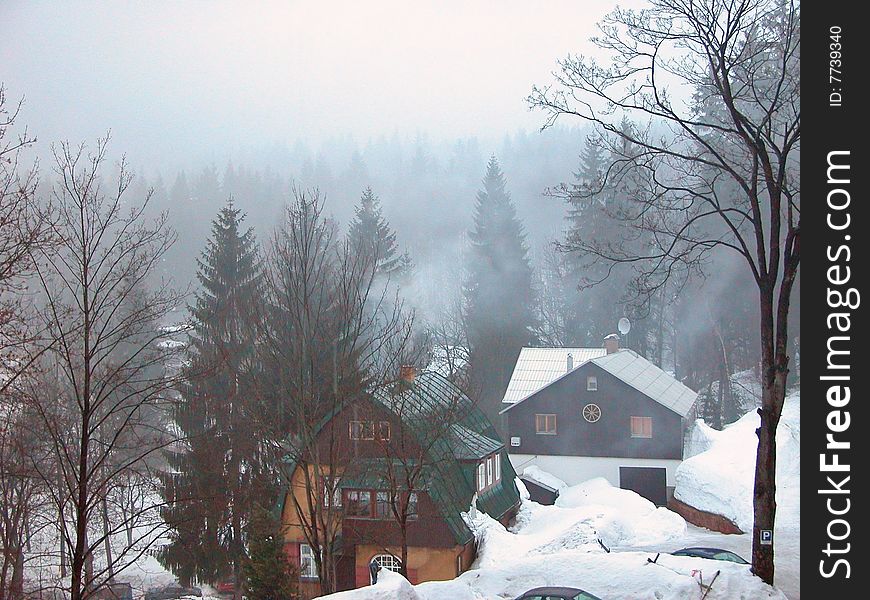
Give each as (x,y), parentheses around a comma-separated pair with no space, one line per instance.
(558,545)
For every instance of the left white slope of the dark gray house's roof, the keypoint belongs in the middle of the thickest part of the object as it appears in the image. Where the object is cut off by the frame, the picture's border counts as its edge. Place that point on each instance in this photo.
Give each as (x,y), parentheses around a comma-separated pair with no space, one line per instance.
(538,367)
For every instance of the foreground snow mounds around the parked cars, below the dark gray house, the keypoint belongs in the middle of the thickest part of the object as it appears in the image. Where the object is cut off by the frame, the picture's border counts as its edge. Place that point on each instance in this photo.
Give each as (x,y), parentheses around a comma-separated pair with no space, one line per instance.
(558,545)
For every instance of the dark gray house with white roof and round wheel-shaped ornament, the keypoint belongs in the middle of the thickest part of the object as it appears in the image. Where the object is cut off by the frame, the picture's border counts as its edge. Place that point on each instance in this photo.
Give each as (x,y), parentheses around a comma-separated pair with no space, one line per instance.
(580,413)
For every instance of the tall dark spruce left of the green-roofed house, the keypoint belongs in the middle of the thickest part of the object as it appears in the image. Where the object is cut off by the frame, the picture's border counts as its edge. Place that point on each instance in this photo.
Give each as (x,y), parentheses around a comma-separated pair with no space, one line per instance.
(215,480)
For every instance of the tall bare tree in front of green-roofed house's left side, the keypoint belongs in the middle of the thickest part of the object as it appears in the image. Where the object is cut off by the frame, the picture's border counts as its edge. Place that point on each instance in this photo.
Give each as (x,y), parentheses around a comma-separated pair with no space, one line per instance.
(332,329)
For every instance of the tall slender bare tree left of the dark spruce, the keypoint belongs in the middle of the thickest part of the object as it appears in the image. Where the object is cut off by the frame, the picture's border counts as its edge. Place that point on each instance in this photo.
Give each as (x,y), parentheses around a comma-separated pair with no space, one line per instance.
(103,323)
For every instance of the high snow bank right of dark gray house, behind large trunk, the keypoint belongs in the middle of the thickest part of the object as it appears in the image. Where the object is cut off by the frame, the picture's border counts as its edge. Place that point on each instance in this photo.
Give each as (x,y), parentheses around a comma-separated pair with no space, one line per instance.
(720,478)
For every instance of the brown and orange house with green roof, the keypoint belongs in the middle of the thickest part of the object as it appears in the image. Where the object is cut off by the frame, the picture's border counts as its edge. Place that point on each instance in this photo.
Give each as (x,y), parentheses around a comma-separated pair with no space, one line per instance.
(407,460)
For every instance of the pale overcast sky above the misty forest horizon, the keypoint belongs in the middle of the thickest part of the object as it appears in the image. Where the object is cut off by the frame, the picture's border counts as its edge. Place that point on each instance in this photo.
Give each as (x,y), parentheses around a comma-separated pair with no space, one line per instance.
(198,79)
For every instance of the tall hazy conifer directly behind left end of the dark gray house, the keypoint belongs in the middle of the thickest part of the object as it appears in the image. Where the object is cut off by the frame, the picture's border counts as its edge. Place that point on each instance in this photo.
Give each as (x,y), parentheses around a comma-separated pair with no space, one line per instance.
(499,294)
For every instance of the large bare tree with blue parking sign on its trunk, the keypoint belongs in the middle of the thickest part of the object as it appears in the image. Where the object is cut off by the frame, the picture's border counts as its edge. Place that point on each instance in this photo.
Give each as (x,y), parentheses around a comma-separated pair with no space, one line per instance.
(722,169)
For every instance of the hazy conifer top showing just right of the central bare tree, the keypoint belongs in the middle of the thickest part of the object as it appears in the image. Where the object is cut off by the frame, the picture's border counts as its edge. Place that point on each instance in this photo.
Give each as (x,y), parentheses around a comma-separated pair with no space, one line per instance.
(371,233)
